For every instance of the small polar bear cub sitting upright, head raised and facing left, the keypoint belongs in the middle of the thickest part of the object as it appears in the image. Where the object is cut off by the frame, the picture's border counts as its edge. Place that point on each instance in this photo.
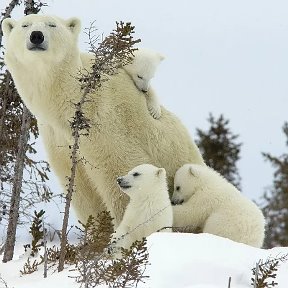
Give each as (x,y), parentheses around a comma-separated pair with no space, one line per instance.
(149,208)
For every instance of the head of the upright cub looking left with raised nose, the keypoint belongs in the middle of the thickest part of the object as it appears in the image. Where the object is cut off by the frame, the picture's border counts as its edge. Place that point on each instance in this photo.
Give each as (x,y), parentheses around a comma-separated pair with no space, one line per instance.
(142,179)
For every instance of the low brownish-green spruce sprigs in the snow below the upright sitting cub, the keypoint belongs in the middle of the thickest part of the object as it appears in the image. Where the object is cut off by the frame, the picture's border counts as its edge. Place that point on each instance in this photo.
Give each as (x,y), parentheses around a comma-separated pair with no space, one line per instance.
(94,263)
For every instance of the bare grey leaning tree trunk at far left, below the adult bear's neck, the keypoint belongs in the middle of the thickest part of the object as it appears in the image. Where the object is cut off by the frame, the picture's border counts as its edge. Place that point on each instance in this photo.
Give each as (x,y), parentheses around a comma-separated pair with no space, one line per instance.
(17,185)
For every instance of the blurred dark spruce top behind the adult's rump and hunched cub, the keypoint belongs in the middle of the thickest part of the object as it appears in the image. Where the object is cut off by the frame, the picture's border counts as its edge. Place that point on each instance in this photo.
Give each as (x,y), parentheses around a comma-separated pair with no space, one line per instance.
(219,148)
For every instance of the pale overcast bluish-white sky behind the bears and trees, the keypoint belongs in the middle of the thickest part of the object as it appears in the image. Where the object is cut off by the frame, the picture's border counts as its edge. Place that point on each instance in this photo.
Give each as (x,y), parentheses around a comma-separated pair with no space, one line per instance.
(222,56)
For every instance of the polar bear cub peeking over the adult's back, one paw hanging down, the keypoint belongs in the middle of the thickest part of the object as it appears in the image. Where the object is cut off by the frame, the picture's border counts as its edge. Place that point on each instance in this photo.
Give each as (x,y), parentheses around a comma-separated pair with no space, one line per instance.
(142,70)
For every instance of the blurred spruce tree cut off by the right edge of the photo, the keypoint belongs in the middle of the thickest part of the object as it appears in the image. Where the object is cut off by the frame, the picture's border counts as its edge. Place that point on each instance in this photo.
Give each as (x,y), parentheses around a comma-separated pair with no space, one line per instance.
(275,207)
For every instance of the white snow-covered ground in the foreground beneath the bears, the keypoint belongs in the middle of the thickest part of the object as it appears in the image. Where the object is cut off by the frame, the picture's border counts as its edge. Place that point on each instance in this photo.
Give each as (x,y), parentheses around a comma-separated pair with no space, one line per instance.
(177,261)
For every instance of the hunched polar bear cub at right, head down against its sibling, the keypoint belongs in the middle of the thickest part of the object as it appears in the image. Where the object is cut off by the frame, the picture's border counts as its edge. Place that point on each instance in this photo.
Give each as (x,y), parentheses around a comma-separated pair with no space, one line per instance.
(209,202)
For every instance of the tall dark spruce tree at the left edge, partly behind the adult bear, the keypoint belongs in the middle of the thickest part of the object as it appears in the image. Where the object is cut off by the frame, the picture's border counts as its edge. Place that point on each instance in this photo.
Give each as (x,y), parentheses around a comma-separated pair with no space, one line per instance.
(17,128)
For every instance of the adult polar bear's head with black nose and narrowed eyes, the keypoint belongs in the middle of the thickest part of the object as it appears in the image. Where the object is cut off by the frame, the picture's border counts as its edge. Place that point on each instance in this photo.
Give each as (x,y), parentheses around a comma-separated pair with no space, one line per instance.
(38,37)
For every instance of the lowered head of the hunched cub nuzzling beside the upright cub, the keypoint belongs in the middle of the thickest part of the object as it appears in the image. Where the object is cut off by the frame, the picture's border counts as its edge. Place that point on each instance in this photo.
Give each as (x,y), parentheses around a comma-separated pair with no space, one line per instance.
(186,183)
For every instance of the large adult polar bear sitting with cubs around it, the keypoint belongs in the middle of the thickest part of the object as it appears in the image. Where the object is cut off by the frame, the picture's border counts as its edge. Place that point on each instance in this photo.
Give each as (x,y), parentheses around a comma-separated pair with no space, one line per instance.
(43,57)
